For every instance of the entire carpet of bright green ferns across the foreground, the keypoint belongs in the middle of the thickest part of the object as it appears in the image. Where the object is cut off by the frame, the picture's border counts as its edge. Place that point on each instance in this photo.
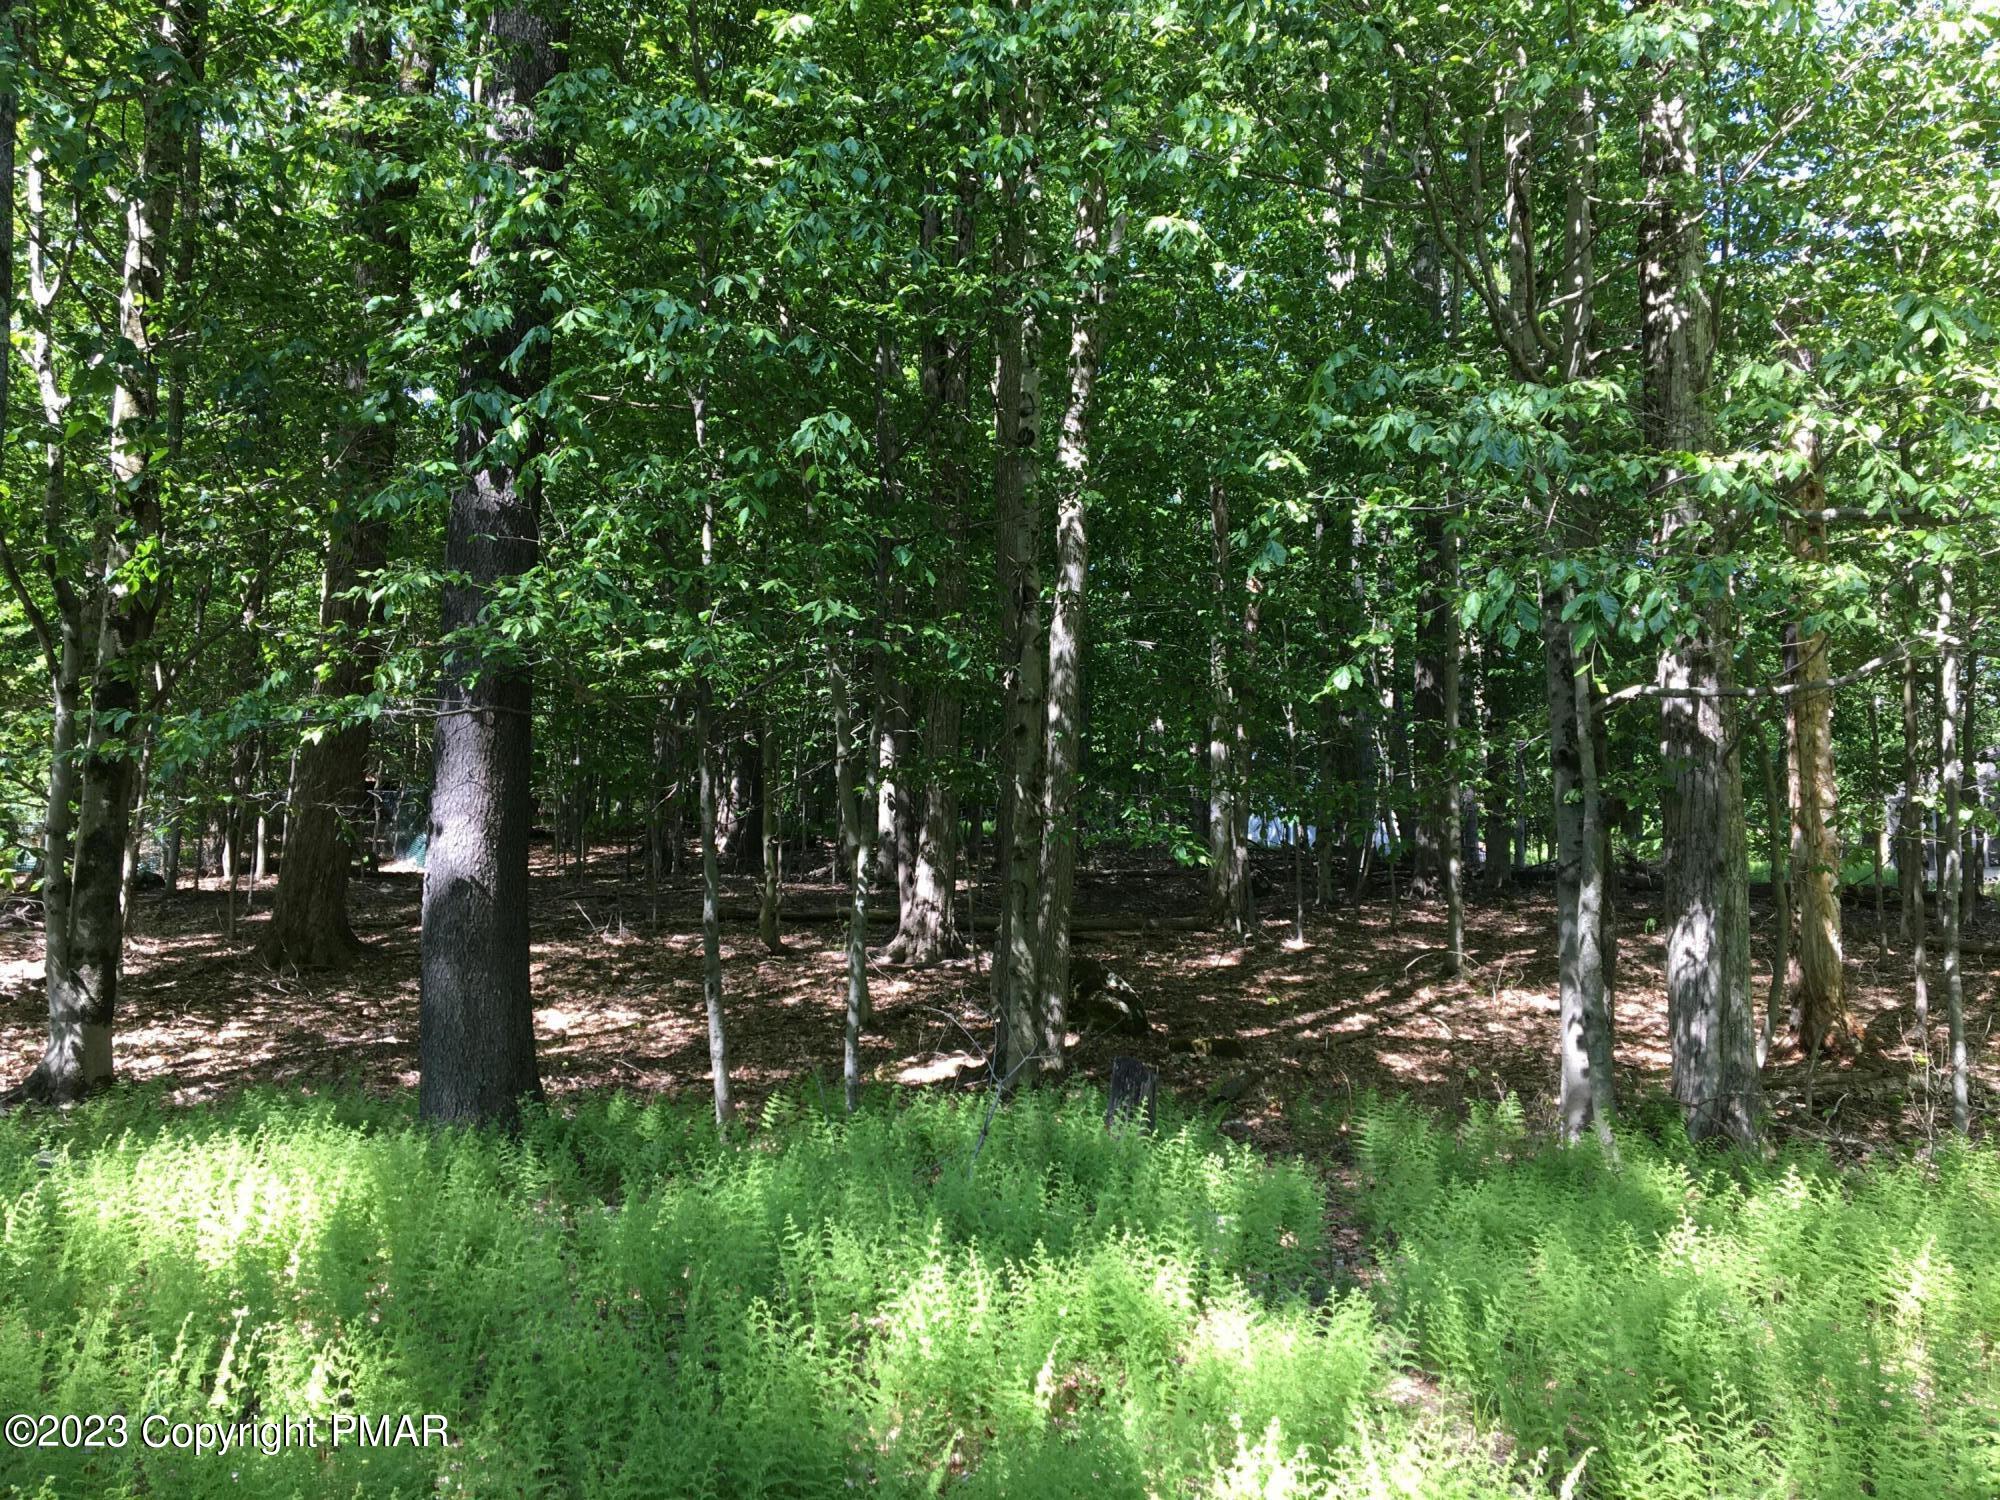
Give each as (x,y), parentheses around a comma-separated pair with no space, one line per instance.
(617,1303)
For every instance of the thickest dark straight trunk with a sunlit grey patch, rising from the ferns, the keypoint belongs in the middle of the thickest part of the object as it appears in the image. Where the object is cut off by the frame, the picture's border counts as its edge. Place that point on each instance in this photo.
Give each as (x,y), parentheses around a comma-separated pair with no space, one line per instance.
(477,1019)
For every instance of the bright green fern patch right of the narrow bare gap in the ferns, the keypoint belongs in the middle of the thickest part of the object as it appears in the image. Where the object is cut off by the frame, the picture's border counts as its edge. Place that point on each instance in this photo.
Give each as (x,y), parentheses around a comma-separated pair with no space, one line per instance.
(1699,1325)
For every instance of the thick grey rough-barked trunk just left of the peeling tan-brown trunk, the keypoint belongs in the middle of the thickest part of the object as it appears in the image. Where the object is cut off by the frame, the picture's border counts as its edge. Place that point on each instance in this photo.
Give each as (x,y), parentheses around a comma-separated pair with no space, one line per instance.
(1711,1019)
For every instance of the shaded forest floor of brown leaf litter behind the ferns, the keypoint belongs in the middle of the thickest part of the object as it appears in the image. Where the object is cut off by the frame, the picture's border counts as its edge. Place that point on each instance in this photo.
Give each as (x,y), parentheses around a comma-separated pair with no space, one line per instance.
(1363,1005)
